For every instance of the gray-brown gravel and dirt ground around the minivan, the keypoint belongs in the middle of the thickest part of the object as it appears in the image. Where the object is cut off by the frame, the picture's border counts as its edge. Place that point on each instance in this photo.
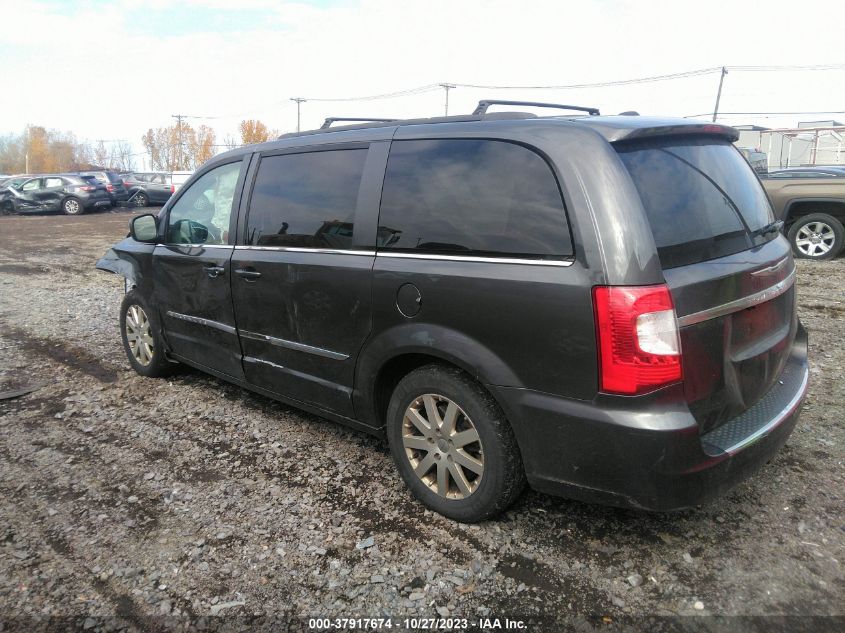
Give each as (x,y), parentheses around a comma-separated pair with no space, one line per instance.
(141,504)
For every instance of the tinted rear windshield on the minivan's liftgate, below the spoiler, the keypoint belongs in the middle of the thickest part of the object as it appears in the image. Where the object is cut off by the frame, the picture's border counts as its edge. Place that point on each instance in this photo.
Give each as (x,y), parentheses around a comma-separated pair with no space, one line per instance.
(701,197)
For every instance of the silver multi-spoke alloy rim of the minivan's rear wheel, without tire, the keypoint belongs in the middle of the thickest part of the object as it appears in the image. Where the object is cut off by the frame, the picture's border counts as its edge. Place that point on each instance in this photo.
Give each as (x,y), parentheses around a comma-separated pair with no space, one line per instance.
(443,446)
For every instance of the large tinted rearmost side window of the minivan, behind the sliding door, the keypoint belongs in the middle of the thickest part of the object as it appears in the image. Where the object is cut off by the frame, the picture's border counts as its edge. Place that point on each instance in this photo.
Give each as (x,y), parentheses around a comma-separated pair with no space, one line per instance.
(471,197)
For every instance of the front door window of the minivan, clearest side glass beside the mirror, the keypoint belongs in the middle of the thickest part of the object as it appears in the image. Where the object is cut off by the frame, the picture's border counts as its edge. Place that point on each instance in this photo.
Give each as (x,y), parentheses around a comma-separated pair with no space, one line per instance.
(201,215)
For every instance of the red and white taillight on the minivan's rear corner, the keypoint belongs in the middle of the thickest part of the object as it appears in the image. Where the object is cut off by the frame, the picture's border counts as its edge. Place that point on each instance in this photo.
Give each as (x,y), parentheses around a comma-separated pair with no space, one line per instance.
(639,345)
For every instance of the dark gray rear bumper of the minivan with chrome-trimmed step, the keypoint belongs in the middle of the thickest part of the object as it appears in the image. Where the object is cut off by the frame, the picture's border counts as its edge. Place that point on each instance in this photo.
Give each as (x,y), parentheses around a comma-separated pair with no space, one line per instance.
(647,452)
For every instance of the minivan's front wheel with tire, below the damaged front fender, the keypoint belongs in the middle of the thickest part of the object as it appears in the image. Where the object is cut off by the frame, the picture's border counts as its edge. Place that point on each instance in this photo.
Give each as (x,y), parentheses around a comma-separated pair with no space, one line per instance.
(141,337)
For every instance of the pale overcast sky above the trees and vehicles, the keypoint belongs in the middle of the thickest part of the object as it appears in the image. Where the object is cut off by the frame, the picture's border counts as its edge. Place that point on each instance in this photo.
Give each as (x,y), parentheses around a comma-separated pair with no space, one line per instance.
(111,70)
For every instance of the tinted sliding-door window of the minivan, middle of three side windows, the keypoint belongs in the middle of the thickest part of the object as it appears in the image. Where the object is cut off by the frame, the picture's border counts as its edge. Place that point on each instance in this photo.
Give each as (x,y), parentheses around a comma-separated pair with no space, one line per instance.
(306,200)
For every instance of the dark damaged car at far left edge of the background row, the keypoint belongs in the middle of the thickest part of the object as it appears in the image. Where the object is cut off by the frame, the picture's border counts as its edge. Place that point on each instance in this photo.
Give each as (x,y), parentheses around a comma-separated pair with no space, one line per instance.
(70,193)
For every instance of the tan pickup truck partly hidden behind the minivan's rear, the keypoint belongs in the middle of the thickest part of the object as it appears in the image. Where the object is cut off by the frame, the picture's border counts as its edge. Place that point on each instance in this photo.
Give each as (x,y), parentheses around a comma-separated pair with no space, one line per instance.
(811,204)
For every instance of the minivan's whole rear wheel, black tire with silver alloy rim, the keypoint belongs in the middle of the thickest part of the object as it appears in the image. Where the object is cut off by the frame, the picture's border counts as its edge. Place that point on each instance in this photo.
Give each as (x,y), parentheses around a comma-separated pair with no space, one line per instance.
(452,445)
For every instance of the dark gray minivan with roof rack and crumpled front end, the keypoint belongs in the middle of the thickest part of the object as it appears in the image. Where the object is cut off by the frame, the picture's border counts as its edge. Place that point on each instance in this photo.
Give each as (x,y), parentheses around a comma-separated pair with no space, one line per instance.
(601,306)
